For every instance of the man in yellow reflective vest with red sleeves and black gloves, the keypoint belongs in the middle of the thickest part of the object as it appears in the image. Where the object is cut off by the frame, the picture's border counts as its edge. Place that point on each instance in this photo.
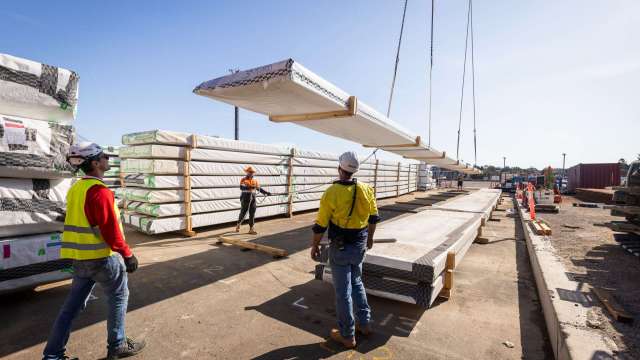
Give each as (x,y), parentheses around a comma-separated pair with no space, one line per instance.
(93,237)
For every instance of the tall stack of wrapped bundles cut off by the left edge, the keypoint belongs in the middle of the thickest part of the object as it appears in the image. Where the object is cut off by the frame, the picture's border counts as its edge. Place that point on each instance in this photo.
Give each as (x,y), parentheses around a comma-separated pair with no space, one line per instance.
(37,109)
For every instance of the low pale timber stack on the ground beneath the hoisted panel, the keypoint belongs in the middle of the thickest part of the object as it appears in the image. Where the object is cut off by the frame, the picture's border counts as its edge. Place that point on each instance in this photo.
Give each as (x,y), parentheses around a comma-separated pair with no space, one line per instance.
(415,258)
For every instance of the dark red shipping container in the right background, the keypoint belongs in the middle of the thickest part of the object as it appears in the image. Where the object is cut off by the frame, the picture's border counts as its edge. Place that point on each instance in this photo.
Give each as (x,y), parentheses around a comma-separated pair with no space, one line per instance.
(593,176)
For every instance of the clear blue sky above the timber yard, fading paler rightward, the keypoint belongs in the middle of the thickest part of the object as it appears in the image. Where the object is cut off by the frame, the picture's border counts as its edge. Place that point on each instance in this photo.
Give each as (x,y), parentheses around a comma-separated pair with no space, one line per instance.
(551,77)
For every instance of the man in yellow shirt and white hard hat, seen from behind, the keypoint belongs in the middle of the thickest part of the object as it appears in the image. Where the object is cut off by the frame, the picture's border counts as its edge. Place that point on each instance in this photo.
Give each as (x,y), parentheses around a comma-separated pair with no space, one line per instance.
(349,211)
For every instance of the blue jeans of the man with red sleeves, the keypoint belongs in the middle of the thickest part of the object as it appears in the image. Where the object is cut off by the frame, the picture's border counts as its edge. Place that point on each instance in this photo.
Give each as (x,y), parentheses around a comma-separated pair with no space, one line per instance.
(111,274)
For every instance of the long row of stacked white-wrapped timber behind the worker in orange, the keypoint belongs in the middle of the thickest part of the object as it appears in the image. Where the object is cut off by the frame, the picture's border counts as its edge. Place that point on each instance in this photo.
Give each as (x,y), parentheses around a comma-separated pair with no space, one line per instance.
(177,182)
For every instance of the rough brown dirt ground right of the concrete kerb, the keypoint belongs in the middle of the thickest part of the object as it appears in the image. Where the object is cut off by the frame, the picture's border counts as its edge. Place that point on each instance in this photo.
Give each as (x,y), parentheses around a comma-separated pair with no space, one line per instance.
(594,258)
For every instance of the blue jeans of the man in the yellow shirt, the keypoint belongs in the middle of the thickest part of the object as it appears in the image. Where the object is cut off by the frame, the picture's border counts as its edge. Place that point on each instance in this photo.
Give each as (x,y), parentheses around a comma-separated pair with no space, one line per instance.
(346,271)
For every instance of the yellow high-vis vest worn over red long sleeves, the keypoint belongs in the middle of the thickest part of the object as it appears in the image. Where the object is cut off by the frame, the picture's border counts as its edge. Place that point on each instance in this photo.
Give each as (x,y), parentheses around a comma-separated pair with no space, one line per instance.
(80,240)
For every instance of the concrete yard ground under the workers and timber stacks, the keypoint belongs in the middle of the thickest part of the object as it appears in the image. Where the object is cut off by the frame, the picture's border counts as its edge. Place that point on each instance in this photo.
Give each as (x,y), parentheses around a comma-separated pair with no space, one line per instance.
(194,299)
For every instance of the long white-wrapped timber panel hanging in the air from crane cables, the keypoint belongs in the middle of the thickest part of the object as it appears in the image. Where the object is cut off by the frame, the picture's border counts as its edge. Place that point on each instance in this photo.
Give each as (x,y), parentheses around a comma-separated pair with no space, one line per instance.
(288,92)
